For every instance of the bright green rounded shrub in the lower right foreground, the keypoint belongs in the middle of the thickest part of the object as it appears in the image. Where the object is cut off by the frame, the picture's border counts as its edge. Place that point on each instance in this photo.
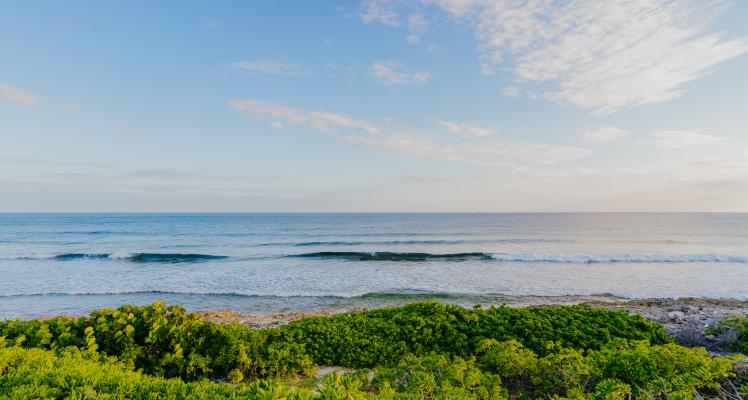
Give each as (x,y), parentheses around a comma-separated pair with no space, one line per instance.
(615,371)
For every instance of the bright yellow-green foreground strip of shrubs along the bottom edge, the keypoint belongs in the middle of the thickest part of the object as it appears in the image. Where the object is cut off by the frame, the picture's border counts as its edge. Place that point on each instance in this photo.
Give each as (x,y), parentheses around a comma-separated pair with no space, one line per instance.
(600,374)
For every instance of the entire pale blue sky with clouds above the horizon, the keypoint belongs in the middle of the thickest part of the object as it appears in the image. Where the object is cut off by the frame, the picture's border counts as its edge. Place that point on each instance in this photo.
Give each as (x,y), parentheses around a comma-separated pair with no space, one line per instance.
(374,106)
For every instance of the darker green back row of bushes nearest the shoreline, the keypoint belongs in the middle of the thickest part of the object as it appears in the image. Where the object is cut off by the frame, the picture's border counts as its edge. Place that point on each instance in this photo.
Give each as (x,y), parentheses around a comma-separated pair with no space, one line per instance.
(166,341)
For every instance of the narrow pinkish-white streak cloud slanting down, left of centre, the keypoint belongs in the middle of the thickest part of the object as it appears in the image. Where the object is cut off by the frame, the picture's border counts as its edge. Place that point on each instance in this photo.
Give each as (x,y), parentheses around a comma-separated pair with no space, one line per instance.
(281,115)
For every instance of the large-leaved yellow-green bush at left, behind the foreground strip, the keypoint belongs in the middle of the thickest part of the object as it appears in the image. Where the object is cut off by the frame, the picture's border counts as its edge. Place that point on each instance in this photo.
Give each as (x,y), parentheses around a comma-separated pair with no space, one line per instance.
(164,341)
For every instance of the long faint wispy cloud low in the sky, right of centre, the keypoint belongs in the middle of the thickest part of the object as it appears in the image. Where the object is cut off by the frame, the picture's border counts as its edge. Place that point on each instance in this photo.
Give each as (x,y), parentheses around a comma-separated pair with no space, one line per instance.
(493,153)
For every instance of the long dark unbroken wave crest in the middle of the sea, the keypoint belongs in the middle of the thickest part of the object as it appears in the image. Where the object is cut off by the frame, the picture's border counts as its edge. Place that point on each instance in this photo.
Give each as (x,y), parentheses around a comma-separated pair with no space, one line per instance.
(392,256)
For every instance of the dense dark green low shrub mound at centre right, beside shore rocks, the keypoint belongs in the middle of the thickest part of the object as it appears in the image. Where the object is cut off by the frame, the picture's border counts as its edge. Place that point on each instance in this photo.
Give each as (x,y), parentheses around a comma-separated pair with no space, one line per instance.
(385,336)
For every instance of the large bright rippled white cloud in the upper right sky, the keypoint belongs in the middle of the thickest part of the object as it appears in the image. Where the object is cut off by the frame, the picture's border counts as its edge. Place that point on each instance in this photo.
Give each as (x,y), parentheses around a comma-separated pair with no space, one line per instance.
(597,55)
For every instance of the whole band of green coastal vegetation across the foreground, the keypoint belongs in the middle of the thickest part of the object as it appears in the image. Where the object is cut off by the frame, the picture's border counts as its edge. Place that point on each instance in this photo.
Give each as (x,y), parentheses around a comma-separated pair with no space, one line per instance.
(420,351)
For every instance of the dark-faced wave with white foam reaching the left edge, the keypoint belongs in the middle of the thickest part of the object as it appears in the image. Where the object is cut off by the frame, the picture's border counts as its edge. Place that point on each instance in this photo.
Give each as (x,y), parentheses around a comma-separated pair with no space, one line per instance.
(132,257)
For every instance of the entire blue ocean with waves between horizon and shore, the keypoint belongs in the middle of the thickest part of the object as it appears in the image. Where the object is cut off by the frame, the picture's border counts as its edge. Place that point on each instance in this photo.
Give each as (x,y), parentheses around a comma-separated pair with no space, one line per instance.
(52,264)
